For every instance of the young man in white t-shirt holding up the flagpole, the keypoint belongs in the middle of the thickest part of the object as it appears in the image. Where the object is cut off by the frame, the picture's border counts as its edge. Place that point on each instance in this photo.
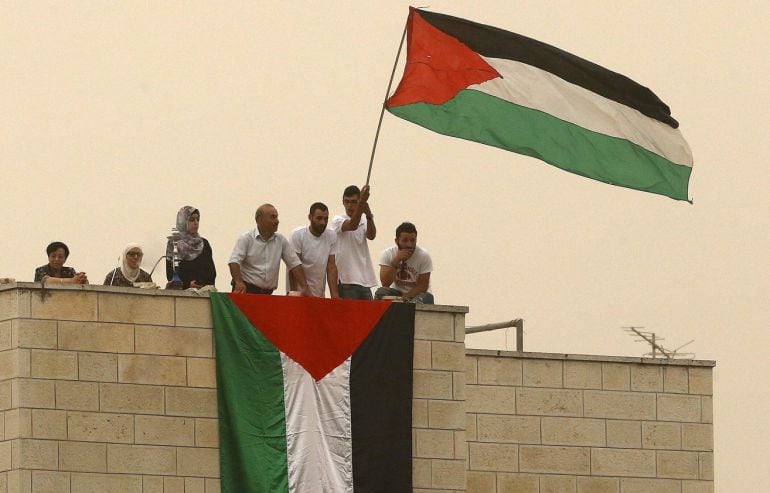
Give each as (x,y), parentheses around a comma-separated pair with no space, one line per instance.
(354,229)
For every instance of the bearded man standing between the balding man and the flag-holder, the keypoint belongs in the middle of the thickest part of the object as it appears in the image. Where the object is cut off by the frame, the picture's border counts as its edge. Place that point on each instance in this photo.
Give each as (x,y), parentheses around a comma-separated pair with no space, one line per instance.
(316,247)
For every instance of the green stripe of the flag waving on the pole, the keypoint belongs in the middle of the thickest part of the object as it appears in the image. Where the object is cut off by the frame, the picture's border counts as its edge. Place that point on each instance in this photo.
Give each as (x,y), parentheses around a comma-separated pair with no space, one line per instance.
(479,117)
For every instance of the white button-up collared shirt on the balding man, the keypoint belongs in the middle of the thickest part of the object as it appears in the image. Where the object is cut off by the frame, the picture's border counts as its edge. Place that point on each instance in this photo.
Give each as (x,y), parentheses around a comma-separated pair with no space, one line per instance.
(260,260)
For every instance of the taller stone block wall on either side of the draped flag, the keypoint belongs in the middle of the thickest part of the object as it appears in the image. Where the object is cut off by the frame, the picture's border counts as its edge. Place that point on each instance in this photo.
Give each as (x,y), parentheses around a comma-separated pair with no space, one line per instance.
(113,389)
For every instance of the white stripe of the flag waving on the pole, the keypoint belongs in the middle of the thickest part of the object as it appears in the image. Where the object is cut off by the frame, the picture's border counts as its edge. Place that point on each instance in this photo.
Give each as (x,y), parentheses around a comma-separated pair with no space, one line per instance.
(538,89)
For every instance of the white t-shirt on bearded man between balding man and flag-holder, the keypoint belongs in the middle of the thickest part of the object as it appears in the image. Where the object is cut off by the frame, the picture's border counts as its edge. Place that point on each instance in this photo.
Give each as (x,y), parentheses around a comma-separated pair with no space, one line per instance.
(314,252)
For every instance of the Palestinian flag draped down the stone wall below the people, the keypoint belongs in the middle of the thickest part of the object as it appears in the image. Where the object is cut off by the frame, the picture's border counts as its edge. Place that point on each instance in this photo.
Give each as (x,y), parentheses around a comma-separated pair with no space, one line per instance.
(313,394)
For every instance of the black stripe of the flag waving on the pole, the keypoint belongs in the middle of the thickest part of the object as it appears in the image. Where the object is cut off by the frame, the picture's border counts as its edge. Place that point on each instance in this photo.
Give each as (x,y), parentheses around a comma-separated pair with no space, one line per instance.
(490,41)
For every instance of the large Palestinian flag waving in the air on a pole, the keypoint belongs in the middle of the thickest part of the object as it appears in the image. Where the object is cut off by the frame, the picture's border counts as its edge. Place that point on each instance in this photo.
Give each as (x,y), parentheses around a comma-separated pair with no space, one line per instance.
(499,88)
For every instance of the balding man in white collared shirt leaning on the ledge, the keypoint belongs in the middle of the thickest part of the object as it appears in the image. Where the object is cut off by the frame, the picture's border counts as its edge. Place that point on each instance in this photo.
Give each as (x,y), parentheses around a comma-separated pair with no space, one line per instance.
(256,259)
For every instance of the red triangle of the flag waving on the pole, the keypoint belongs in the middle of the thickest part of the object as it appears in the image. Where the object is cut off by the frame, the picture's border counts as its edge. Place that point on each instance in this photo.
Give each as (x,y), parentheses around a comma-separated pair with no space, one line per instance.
(438,66)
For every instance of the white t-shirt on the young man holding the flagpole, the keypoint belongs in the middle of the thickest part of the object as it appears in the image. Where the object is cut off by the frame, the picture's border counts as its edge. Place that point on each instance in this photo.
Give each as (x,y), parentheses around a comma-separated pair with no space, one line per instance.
(354,263)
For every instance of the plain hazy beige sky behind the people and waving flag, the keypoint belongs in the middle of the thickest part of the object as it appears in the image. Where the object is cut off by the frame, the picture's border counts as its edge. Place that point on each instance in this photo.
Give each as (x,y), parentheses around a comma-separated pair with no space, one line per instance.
(115,114)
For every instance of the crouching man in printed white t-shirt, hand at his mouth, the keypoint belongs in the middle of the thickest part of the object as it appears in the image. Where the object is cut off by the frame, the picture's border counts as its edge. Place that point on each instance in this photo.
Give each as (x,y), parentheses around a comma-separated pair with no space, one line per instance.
(405,268)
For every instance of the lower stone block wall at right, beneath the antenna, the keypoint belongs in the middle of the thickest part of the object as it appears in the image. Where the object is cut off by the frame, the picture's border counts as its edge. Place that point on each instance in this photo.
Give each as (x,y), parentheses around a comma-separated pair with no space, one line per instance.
(542,423)
